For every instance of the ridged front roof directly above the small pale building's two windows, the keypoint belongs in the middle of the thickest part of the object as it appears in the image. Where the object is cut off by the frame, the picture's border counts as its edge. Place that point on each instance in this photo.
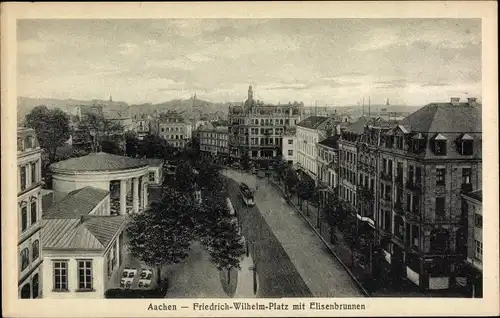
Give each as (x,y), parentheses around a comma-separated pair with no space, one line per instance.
(86,233)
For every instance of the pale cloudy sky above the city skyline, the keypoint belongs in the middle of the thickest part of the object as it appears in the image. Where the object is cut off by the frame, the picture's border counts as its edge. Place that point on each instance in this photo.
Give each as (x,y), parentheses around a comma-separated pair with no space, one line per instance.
(330,62)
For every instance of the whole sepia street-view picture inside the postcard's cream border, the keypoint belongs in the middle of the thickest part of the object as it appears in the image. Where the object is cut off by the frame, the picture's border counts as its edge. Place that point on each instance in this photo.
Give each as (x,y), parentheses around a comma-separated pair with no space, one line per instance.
(244,159)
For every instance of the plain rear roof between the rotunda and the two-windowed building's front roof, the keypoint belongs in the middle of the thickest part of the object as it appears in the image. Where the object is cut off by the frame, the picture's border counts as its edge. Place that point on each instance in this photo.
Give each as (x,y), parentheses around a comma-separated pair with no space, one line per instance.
(76,204)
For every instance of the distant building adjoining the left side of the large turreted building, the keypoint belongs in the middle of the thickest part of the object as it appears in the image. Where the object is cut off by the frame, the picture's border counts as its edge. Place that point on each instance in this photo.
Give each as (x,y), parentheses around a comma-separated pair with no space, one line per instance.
(214,142)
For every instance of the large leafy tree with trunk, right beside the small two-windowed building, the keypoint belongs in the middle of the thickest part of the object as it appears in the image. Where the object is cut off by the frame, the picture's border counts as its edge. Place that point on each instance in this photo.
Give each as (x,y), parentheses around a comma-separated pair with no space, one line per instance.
(163,234)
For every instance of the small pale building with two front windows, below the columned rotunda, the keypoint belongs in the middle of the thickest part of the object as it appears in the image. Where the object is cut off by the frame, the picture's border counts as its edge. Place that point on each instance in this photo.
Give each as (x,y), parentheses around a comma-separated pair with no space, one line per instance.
(83,245)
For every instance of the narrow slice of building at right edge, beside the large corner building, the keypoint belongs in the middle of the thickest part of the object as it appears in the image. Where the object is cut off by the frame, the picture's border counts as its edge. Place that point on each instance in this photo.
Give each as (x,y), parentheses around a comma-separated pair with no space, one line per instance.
(472,210)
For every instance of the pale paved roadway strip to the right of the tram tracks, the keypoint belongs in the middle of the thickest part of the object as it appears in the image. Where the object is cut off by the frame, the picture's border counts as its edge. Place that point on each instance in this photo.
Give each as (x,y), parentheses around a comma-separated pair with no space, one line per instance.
(321,272)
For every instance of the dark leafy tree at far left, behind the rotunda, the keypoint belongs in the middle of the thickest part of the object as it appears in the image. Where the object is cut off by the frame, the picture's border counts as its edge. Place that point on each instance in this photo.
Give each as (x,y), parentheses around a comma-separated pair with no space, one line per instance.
(51,127)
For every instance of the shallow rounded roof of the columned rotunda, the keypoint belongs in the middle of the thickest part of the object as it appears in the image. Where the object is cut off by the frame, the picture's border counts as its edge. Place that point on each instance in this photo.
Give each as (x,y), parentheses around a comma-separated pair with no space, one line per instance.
(100,161)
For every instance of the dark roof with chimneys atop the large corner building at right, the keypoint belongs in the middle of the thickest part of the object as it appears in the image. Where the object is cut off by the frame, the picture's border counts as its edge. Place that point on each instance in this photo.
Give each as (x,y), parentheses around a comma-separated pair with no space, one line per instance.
(445,117)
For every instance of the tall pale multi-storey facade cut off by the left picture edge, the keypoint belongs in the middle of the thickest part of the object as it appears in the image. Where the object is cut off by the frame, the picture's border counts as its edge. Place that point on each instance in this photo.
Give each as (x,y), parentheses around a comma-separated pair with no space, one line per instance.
(29,199)
